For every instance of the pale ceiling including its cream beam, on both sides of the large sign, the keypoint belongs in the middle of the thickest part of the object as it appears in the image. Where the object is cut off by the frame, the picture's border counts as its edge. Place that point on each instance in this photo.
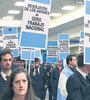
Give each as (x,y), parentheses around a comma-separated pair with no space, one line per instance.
(56,25)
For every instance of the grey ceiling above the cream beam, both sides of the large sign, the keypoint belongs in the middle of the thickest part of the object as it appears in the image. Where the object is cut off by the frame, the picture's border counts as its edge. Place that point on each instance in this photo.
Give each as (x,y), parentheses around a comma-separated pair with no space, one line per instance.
(56,5)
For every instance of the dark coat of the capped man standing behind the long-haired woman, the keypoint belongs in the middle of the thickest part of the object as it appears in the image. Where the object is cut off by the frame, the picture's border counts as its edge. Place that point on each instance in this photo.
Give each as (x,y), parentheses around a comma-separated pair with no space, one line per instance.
(38,82)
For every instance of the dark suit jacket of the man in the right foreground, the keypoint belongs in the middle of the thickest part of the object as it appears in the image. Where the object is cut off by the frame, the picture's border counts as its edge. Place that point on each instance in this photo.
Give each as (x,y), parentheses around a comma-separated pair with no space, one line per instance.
(75,86)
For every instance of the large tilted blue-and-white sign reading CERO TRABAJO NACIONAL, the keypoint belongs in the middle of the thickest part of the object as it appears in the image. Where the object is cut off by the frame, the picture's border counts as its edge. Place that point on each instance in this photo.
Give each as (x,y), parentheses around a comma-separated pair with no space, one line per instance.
(34,30)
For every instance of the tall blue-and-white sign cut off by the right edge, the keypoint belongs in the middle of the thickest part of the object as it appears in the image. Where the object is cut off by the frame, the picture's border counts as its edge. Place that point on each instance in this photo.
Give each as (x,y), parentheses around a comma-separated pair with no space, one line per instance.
(87,32)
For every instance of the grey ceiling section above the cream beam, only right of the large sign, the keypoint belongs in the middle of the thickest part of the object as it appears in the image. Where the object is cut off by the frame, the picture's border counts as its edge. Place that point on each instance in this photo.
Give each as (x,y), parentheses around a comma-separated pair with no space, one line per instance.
(58,4)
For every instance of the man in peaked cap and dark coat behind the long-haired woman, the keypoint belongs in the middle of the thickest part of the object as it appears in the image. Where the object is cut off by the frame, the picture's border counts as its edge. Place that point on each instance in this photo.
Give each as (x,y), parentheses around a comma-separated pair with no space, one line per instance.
(38,79)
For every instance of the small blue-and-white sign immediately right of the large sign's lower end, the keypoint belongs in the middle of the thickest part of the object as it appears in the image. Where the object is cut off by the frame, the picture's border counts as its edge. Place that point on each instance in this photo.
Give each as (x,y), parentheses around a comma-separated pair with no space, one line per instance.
(52,51)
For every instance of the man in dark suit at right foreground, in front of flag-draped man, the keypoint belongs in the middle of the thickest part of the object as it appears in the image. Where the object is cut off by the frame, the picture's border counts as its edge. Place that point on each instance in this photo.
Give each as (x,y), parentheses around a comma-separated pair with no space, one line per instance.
(77,82)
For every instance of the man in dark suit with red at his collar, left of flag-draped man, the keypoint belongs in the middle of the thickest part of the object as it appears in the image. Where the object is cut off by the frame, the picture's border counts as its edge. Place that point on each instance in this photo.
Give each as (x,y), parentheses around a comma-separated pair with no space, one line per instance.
(55,77)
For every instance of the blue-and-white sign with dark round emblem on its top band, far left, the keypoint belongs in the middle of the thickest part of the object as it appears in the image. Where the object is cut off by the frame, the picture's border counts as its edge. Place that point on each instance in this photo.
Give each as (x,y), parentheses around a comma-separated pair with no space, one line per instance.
(10,39)
